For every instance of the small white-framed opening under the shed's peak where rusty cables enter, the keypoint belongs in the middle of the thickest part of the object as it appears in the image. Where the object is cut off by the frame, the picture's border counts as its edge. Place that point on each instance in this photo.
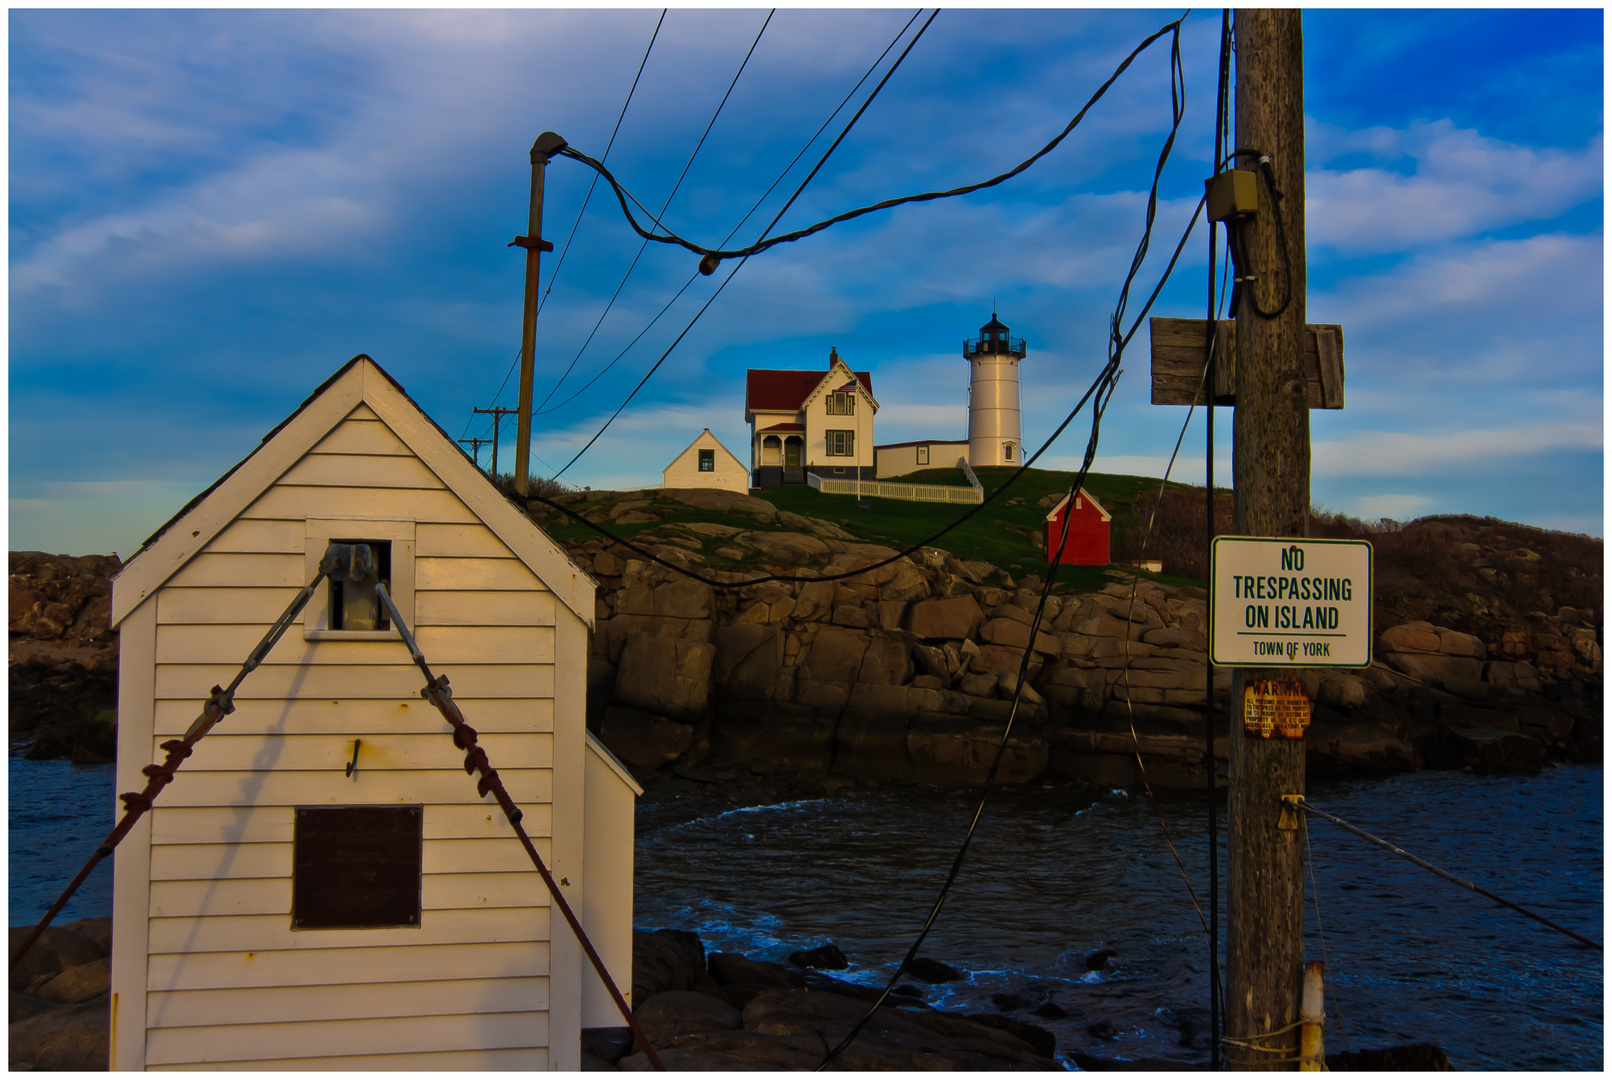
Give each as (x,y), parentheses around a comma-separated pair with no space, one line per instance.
(347,607)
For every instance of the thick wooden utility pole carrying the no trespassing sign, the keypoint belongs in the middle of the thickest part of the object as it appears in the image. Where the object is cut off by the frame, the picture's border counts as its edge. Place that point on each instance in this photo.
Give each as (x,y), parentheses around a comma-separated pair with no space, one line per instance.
(1271,465)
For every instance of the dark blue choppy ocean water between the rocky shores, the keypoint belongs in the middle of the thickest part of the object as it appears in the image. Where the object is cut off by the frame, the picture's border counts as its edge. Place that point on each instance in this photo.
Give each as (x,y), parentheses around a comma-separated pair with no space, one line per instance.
(1057,876)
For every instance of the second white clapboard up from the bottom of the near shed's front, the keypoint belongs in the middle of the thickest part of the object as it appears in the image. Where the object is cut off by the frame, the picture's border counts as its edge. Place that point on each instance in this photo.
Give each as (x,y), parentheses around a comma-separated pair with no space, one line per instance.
(280,1005)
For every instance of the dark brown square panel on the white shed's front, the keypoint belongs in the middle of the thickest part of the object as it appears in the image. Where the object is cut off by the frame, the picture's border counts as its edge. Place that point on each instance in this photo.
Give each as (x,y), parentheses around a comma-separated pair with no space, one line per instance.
(357,868)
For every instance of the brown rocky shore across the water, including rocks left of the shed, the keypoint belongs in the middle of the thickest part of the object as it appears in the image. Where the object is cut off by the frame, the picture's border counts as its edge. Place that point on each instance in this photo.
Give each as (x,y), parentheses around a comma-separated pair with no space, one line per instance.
(907,673)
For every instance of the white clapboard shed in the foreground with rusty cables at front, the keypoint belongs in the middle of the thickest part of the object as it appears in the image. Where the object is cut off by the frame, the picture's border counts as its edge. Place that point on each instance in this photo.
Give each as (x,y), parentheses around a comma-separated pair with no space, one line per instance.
(230,952)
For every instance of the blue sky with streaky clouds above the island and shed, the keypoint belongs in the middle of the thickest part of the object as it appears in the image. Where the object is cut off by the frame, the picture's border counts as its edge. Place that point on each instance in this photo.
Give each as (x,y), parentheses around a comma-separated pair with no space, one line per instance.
(215,210)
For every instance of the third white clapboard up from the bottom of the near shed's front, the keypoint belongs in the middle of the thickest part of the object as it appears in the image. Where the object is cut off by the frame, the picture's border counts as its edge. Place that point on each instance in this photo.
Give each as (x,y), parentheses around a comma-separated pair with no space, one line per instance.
(314,968)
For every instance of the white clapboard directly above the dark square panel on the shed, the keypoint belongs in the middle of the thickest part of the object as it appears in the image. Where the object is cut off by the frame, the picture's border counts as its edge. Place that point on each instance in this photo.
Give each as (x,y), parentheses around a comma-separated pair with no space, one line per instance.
(272,787)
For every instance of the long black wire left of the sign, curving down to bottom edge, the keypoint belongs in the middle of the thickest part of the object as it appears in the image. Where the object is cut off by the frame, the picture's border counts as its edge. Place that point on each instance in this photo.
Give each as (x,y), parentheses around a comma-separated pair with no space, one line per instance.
(1102,394)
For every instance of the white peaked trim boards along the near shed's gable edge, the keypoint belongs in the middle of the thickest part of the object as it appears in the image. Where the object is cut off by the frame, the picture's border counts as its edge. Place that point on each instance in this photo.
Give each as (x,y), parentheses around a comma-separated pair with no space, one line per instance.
(360,381)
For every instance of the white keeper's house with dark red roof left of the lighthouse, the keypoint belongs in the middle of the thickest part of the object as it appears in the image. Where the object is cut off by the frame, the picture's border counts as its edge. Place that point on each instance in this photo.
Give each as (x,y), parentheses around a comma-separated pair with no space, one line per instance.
(810,422)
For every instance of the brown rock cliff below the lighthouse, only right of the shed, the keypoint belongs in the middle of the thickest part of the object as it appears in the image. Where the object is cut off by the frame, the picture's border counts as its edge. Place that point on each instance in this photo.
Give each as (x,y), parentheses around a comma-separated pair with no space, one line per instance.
(907,673)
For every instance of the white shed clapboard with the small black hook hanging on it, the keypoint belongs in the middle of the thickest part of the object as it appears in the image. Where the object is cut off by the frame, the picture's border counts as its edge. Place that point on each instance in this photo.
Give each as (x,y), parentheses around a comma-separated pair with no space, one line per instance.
(238,754)
